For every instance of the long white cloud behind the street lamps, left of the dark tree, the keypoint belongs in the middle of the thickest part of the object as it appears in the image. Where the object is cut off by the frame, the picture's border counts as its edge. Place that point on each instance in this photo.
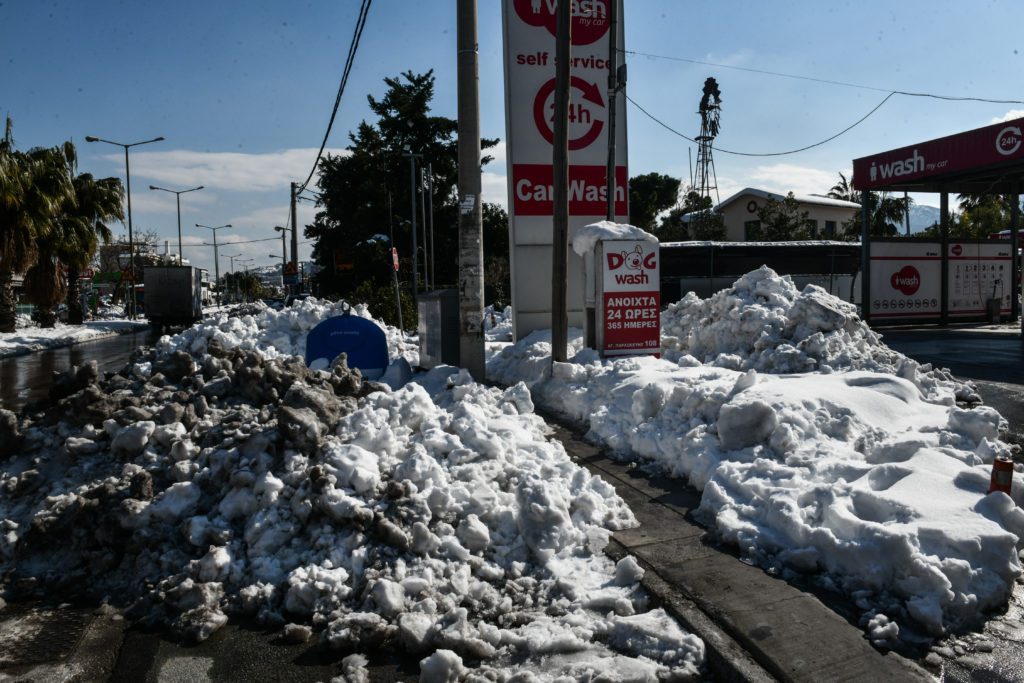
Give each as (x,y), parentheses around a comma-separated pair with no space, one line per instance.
(226,170)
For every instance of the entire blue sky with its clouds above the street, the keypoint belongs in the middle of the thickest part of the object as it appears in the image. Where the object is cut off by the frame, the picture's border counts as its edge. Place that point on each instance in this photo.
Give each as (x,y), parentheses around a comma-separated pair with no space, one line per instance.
(243,91)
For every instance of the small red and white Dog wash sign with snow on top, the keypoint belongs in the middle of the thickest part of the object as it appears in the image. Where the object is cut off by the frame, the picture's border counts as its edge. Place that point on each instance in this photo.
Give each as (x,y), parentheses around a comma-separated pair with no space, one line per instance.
(631,300)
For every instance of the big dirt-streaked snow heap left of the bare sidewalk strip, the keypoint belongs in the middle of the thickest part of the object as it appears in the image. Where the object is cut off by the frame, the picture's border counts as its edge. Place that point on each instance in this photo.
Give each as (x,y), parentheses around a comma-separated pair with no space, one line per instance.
(233,480)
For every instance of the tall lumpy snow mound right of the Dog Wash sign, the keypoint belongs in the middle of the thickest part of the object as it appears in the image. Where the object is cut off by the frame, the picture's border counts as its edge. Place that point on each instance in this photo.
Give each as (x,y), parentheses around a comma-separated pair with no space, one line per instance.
(764,323)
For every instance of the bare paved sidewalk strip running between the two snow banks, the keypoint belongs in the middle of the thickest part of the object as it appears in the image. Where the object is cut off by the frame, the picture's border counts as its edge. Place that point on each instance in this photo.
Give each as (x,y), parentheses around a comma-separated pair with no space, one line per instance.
(756,628)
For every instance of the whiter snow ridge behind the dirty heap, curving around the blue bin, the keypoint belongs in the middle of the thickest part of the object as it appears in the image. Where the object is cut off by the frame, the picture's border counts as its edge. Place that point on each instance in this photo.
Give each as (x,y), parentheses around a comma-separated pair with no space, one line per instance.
(278,333)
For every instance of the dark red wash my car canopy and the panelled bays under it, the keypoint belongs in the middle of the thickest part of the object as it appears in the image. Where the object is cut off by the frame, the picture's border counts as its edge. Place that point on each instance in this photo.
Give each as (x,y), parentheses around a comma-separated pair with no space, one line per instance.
(938,281)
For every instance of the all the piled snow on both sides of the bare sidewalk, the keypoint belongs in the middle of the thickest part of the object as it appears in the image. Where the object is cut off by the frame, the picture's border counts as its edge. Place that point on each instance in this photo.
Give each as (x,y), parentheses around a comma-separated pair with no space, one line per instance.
(220,476)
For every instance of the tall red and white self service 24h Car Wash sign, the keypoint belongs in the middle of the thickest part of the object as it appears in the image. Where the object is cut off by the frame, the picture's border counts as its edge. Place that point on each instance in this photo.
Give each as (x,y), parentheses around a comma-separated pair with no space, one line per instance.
(530,108)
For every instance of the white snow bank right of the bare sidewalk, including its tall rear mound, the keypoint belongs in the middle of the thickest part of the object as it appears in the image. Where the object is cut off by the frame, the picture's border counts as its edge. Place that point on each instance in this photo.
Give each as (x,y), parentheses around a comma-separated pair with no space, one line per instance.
(874,481)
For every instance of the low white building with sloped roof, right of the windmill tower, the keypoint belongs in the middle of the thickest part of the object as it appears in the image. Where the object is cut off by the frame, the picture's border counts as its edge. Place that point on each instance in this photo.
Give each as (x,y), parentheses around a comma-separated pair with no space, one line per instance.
(825,216)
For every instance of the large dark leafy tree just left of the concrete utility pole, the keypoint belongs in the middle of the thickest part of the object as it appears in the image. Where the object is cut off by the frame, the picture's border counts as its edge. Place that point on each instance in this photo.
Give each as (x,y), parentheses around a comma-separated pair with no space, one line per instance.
(366,193)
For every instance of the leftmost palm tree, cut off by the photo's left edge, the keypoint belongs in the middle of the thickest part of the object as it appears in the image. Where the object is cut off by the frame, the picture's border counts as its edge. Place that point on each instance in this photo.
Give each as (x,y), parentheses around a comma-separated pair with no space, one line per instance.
(34,186)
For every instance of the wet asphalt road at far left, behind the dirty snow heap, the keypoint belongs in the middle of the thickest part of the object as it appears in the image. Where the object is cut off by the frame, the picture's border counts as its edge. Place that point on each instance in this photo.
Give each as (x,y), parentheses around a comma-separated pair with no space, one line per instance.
(28,378)
